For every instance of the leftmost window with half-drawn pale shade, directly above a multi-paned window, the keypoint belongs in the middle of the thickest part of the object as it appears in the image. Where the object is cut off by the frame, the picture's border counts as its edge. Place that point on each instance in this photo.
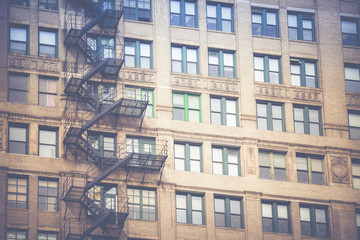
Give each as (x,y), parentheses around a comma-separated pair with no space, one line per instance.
(18,138)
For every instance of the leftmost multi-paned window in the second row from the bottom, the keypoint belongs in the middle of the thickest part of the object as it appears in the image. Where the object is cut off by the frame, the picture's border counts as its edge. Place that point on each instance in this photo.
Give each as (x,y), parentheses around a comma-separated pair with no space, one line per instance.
(17,192)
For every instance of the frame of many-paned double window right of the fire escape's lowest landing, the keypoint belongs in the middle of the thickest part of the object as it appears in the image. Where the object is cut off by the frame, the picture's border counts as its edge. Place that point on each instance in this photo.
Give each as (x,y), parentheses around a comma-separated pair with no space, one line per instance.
(141,204)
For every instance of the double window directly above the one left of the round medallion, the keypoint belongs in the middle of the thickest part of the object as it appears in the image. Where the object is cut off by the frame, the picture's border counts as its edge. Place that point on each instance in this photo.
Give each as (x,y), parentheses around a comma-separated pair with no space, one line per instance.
(307,120)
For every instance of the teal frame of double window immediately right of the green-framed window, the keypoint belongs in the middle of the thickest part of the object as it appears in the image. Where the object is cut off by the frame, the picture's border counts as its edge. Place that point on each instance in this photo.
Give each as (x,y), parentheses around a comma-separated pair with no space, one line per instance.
(223,110)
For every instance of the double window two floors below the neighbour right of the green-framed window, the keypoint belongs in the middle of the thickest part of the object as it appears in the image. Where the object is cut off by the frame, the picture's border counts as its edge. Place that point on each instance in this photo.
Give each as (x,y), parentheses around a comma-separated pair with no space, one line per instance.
(228,212)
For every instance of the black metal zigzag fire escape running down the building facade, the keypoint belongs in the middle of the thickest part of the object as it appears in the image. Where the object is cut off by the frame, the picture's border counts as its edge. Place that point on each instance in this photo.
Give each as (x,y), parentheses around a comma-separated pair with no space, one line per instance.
(94,218)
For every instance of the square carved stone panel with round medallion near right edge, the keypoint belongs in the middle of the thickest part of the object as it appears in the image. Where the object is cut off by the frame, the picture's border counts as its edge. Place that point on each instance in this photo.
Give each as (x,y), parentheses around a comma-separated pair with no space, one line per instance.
(340,170)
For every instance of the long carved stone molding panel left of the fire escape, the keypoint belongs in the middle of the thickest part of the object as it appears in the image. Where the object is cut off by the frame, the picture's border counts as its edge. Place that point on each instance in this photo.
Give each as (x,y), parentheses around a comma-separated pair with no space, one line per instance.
(34,64)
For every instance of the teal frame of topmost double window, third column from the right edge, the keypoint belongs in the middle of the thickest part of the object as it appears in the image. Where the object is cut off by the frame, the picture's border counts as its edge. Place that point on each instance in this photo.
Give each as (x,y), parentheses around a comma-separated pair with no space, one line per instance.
(264,23)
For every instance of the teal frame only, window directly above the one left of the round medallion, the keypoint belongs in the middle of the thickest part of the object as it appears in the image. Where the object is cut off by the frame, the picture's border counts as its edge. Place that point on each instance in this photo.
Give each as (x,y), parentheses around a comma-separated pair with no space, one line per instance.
(306,120)
